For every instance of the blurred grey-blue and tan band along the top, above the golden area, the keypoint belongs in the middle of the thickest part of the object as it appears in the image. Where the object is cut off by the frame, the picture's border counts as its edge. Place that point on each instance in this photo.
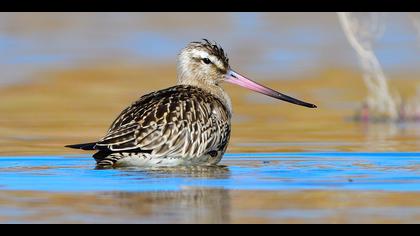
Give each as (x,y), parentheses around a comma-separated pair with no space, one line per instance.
(266,45)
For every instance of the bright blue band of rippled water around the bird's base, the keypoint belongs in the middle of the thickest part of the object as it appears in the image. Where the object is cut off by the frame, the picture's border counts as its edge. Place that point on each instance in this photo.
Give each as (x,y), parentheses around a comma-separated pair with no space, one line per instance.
(240,171)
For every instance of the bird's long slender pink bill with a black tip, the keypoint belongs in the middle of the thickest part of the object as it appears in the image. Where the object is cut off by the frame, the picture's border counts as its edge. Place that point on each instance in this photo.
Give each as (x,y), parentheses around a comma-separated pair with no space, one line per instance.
(235,78)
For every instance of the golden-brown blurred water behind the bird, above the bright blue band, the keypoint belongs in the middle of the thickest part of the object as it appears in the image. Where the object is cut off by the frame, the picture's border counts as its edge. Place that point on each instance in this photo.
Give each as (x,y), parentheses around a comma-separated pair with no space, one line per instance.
(78,104)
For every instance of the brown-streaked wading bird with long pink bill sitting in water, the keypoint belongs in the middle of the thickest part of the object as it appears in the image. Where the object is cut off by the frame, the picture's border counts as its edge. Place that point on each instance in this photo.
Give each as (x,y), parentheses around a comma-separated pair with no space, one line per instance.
(188,124)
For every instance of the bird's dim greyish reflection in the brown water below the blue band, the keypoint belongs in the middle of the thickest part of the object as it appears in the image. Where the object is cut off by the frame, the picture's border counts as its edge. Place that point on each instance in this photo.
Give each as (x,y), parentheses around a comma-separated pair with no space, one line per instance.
(189,205)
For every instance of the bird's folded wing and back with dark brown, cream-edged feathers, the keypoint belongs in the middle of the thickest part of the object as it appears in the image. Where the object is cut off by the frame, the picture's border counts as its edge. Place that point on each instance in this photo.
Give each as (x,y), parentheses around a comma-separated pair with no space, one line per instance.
(172,122)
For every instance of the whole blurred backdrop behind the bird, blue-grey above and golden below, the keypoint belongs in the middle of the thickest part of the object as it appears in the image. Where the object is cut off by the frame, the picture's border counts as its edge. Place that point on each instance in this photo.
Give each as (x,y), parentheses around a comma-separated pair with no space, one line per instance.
(66,76)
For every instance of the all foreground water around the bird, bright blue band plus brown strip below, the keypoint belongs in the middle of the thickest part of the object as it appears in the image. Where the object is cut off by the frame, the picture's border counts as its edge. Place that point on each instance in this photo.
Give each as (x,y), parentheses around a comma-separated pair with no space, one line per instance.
(338,187)
